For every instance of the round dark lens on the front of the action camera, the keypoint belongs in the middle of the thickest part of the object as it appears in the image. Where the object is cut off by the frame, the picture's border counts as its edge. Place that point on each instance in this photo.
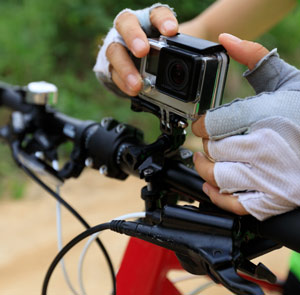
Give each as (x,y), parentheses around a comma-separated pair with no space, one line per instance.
(178,74)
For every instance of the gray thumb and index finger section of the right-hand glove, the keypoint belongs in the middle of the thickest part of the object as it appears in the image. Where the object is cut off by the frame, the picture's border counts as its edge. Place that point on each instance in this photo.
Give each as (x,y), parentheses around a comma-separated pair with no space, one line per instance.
(281,82)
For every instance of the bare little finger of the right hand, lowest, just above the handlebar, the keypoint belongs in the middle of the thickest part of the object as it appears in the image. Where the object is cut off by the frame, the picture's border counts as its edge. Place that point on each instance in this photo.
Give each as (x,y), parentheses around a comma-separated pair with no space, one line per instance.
(227,202)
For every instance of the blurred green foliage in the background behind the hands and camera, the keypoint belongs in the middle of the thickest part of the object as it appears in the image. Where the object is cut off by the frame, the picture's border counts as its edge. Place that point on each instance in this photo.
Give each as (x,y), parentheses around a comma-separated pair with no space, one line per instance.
(57,41)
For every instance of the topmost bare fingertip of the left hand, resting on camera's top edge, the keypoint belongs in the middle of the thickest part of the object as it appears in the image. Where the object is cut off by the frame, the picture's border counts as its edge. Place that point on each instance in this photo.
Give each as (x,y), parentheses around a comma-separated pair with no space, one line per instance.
(164,20)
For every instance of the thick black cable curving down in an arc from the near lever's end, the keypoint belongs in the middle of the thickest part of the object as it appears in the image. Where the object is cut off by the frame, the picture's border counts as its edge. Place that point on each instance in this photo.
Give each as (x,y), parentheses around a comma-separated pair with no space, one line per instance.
(67,248)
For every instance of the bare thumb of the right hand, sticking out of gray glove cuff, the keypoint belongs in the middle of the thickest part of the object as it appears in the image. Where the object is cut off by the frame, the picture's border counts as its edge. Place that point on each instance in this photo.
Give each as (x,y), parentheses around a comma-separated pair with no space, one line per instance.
(245,52)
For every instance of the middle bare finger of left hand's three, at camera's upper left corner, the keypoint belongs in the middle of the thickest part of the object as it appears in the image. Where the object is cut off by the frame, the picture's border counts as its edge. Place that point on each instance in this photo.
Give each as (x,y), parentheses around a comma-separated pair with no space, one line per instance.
(128,26)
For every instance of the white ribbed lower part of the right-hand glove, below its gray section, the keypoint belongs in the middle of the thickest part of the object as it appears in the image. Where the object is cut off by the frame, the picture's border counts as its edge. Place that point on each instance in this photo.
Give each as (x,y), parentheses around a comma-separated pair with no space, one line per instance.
(261,168)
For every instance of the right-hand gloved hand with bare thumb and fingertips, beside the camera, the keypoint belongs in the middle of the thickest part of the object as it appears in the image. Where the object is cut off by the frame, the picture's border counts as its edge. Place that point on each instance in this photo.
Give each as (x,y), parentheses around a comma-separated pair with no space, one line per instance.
(254,144)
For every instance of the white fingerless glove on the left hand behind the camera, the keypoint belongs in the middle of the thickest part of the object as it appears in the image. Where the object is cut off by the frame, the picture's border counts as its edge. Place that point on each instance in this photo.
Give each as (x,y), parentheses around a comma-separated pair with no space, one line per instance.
(101,67)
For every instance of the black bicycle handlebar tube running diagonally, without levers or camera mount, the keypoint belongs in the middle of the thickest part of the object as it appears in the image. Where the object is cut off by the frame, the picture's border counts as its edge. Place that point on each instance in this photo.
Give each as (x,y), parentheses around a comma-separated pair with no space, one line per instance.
(105,143)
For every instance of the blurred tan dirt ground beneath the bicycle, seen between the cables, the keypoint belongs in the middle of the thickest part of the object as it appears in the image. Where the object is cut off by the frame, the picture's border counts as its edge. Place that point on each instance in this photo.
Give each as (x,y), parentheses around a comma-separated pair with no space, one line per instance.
(28,237)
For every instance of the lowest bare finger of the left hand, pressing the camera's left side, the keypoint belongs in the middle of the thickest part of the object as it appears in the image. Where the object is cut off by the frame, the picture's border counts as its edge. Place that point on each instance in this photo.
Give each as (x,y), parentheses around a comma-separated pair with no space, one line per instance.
(124,73)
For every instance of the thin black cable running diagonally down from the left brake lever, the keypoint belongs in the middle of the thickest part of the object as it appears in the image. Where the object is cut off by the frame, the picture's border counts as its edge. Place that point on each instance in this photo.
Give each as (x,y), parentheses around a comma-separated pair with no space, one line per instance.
(78,216)
